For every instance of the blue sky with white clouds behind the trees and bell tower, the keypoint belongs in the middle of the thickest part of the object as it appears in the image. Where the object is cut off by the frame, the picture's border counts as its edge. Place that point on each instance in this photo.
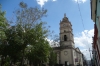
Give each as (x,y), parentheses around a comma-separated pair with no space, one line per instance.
(82,30)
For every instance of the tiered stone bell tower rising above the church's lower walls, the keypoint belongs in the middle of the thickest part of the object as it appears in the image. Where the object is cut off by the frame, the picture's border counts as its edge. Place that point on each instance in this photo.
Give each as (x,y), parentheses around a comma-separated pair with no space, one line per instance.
(66,33)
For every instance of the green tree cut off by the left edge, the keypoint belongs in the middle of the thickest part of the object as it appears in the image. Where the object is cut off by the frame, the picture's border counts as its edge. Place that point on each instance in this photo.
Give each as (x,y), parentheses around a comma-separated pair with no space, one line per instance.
(3,26)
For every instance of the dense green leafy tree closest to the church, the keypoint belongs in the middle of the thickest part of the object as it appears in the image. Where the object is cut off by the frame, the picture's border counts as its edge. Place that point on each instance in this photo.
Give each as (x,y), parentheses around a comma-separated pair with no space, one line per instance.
(39,50)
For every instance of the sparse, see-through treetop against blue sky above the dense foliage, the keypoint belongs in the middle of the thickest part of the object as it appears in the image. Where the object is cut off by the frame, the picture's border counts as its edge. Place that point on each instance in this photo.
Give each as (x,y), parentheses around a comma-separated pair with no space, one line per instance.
(28,17)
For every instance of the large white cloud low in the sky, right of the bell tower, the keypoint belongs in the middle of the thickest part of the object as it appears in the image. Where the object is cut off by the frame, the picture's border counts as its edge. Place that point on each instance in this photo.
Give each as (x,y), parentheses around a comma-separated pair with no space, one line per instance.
(84,41)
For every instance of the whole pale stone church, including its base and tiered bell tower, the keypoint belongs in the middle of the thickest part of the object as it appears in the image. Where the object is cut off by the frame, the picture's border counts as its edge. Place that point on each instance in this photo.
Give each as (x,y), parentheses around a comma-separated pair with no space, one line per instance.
(67,54)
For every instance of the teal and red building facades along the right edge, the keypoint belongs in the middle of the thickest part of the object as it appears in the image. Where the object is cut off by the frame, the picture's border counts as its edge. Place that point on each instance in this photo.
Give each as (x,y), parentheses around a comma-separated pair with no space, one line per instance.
(95,12)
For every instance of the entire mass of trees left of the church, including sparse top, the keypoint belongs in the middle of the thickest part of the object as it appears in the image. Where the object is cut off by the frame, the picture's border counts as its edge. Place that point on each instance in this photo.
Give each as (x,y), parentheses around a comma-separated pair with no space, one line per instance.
(27,39)
